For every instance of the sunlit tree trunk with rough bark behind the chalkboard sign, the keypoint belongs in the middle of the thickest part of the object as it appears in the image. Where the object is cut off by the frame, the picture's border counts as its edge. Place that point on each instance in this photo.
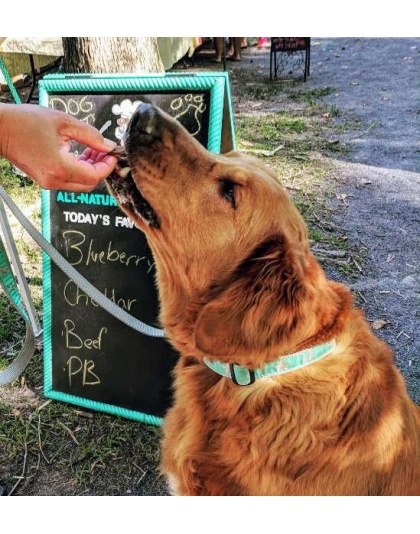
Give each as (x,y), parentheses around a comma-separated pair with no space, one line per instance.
(111,55)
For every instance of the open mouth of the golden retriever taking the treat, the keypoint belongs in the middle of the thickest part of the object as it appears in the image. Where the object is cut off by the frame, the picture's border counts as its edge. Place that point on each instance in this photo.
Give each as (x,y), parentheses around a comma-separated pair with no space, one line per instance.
(127,193)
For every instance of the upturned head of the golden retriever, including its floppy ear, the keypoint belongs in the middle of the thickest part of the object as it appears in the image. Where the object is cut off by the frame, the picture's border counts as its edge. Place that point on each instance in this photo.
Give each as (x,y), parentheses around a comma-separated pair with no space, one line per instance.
(231,250)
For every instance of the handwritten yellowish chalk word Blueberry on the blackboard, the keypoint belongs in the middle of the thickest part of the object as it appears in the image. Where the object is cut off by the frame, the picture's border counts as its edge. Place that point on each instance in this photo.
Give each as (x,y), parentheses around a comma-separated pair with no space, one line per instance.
(81,251)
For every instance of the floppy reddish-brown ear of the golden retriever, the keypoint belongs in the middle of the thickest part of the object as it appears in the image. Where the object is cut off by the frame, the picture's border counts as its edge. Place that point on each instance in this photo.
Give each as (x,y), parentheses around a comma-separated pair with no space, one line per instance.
(258,307)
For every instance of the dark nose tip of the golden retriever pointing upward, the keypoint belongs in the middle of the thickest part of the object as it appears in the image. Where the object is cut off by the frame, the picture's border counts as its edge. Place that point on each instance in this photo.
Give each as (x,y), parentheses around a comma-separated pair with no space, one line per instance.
(144,128)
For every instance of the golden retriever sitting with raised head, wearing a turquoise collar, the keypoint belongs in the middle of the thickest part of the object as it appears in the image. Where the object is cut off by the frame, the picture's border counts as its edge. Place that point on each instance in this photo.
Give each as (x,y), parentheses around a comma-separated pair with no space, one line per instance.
(281,387)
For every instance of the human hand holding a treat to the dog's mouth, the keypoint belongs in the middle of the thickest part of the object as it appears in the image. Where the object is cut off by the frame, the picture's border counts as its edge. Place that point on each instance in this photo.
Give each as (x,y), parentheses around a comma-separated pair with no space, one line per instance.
(37,140)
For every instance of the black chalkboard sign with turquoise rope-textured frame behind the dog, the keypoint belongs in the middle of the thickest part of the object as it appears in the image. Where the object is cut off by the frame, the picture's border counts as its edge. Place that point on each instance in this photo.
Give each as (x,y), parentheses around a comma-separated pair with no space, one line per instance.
(90,358)
